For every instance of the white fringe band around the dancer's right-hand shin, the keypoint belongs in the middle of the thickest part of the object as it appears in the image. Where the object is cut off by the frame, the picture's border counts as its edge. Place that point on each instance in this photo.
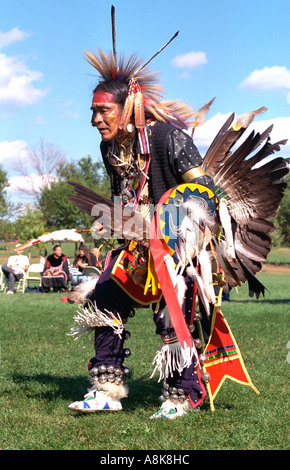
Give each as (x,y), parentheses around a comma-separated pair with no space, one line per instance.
(171,357)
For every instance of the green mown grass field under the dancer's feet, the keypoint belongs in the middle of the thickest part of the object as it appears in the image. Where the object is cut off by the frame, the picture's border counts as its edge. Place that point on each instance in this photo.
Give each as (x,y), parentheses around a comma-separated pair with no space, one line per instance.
(42,370)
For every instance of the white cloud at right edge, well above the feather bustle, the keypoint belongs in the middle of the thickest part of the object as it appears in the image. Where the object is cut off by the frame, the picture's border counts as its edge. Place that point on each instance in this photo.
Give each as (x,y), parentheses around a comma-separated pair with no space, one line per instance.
(268,79)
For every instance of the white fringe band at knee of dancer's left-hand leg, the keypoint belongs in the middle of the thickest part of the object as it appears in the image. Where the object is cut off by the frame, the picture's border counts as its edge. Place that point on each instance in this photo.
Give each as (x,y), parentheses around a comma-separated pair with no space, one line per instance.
(89,318)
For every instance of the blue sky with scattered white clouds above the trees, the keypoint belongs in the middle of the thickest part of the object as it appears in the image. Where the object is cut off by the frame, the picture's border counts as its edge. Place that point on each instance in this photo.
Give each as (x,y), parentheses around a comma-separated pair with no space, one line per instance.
(237,52)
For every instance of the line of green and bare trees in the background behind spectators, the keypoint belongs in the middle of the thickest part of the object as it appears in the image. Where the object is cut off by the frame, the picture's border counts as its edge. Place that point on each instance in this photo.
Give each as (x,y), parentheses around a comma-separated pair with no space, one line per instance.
(51,208)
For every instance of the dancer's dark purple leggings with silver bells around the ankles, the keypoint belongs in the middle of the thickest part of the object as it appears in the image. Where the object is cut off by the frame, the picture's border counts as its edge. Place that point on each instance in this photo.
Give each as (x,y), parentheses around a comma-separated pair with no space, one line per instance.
(110,352)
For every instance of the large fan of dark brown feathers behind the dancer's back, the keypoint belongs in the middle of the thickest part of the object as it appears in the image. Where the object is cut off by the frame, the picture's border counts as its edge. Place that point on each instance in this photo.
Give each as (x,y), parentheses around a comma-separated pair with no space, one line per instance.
(253,190)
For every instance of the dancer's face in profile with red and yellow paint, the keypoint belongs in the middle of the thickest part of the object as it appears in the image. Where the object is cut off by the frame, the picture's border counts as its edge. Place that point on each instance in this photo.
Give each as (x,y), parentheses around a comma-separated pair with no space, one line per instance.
(106,116)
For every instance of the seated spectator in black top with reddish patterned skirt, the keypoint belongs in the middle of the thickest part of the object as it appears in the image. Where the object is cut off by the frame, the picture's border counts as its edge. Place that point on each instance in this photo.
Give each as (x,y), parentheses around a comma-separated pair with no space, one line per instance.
(55,274)
